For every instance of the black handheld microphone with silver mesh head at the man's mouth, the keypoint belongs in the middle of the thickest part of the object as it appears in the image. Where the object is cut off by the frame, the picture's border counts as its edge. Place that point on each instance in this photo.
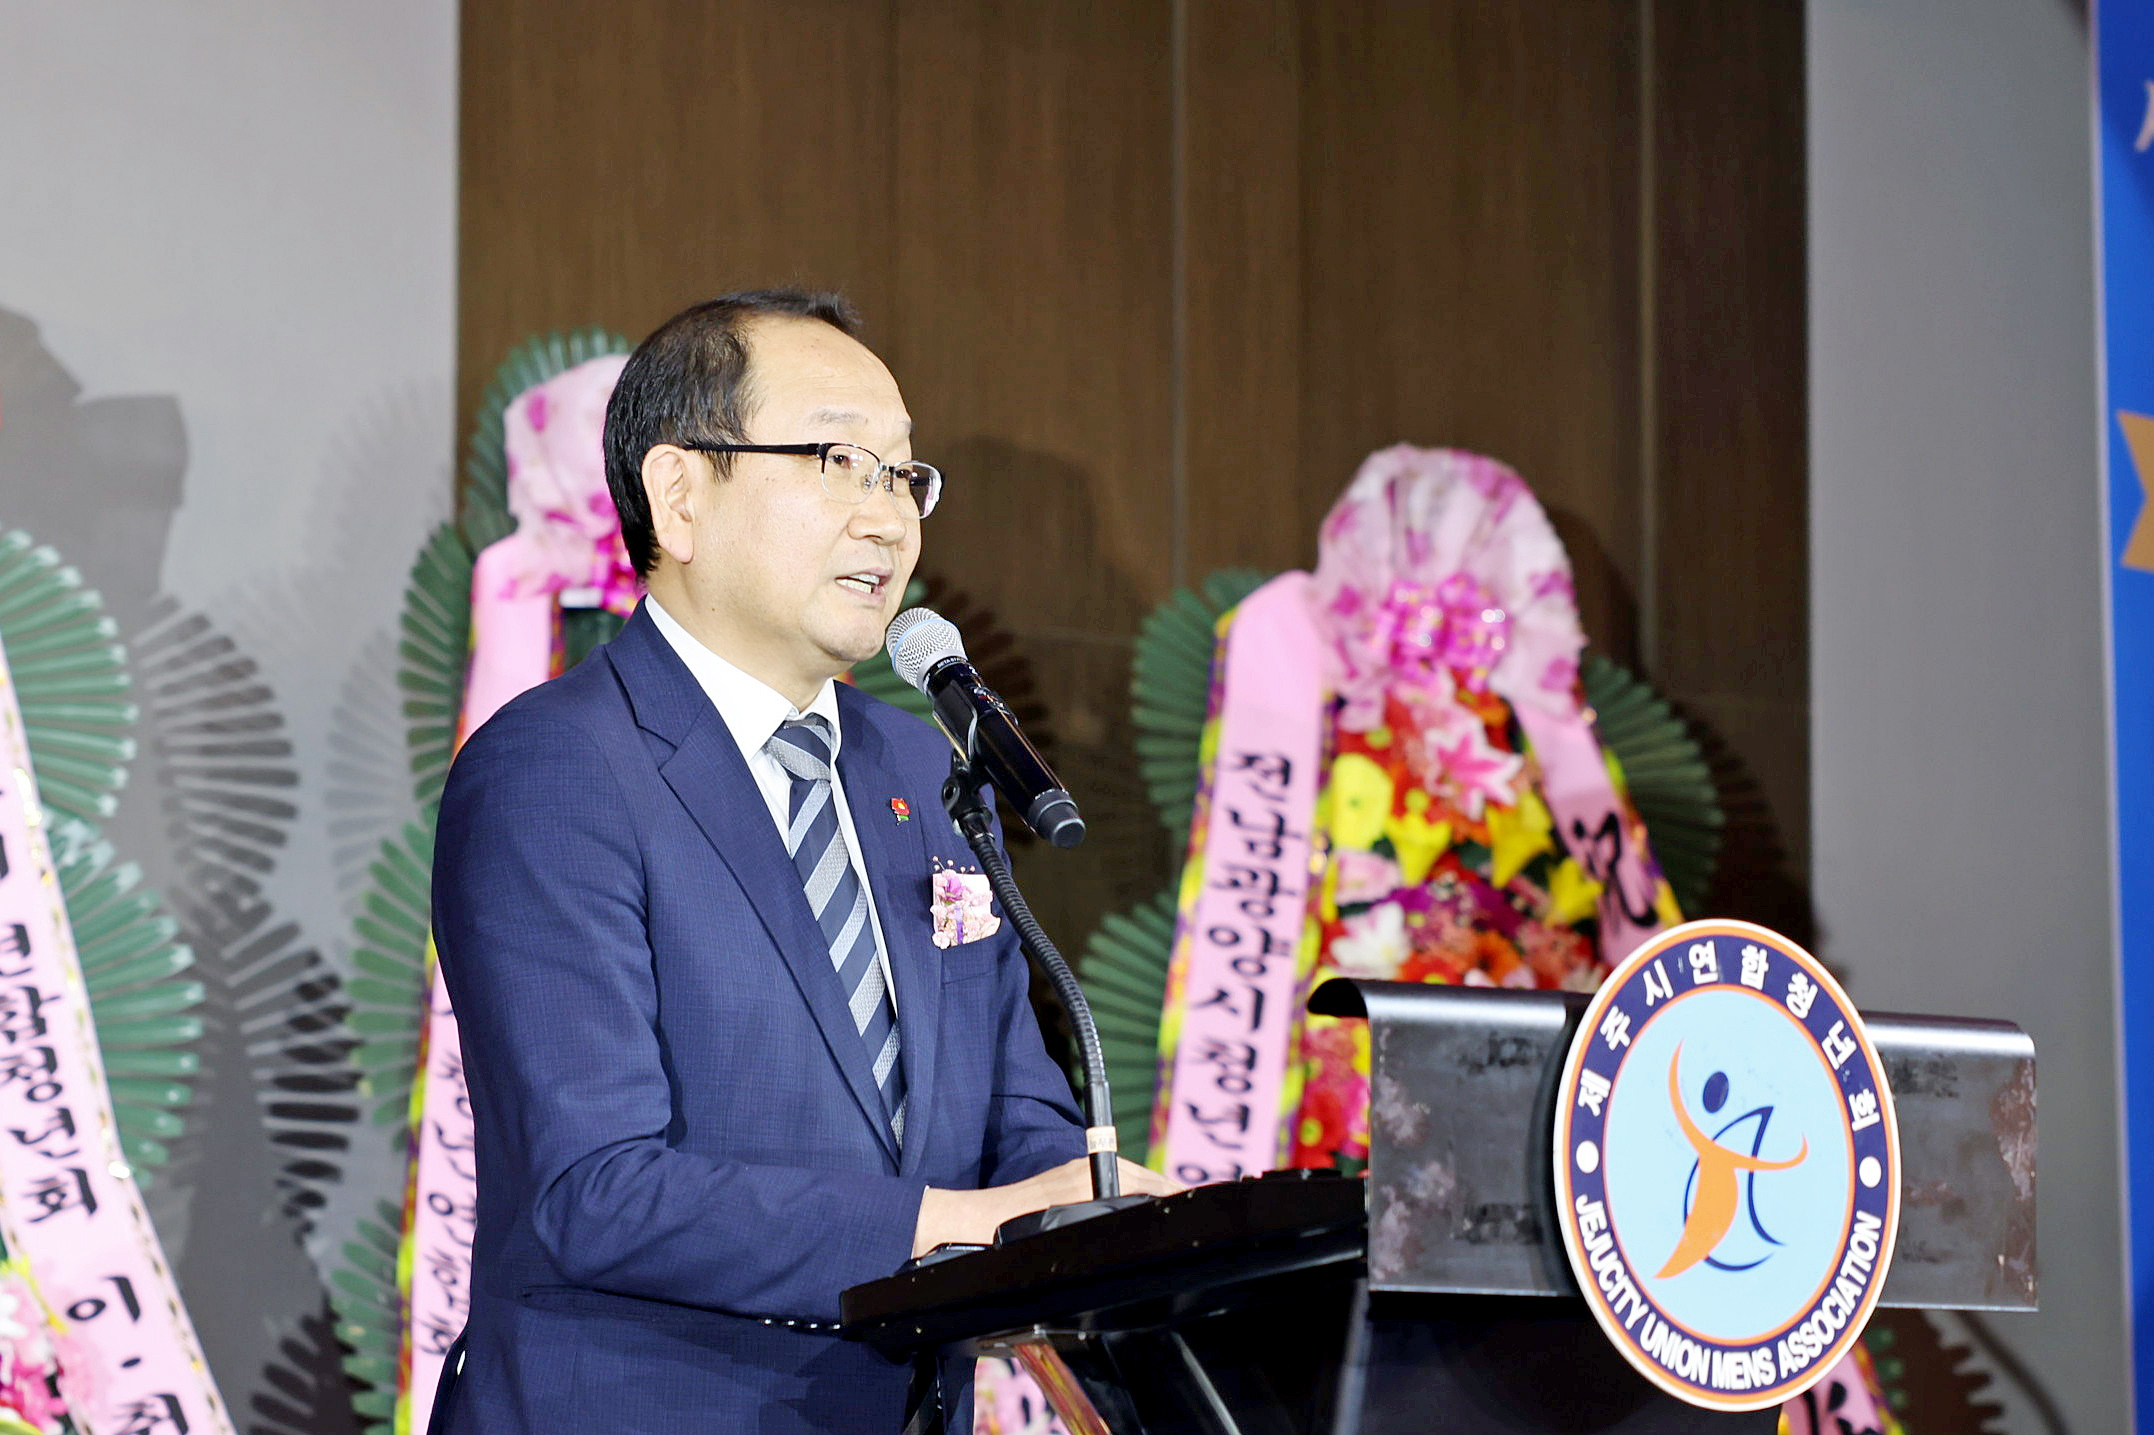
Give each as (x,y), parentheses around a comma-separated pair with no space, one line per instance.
(927,652)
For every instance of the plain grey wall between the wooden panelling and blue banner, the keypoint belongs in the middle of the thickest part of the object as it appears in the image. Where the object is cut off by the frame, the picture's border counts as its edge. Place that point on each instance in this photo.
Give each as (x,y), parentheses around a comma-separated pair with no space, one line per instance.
(1957,626)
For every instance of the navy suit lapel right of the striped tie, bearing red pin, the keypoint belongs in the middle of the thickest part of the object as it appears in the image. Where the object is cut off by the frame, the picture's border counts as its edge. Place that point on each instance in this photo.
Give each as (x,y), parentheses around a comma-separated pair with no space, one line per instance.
(897,861)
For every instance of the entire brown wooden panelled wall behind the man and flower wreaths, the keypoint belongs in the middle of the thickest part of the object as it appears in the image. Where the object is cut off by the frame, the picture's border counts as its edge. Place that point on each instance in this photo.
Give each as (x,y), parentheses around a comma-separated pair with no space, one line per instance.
(1156,277)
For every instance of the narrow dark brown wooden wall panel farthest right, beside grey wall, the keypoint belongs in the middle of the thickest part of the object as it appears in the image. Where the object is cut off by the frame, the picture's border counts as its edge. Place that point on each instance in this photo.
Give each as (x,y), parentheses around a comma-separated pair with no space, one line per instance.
(1731,410)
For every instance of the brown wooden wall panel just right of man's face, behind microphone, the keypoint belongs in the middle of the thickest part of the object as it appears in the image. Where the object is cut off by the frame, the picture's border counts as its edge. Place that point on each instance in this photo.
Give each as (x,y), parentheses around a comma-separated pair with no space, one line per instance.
(1033,335)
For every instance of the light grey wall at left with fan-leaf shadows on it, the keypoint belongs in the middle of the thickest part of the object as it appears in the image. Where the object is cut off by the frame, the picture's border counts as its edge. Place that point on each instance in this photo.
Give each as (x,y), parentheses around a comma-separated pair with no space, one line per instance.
(227,329)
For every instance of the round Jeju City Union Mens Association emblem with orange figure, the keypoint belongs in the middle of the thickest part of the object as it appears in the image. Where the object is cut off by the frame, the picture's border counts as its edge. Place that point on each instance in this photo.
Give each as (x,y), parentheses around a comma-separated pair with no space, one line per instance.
(1726,1165)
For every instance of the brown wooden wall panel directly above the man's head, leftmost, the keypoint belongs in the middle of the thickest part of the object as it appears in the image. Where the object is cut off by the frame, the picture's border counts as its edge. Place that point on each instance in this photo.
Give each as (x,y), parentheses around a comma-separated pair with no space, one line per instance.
(626,161)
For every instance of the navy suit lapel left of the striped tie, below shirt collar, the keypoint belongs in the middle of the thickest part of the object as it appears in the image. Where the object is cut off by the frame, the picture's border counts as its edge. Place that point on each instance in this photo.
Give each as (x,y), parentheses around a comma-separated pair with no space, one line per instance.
(723,798)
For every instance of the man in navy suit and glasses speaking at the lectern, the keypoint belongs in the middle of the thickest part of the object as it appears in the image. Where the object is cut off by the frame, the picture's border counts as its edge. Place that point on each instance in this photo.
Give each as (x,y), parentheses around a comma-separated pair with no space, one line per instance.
(682,897)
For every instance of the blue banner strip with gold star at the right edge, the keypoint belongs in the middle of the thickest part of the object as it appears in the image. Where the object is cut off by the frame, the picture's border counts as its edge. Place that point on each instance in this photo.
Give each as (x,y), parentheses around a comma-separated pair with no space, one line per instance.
(2125,137)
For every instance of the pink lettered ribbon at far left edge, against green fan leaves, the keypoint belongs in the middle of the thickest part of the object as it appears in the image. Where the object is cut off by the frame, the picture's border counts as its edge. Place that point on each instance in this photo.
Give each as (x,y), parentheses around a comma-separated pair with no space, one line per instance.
(70,1208)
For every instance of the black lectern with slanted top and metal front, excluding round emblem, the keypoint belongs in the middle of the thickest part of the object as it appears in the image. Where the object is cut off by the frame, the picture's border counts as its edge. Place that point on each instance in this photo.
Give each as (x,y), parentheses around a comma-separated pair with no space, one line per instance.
(1436,1294)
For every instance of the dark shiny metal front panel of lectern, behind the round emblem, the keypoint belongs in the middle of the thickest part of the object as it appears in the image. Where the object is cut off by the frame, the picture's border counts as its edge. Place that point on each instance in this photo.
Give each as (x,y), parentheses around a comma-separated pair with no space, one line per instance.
(1461,1106)
